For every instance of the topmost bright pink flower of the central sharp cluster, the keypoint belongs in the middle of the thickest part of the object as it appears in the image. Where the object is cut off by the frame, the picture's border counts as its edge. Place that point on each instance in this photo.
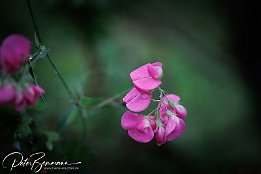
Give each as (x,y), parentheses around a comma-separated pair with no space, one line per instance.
(147,77)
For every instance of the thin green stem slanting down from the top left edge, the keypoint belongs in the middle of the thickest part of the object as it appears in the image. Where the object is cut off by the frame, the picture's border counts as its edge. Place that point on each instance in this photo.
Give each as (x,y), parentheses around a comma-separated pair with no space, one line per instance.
(38,35)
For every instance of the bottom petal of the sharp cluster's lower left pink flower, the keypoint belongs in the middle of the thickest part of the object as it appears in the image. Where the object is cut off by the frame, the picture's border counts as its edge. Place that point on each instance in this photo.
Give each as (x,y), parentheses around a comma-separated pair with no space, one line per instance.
(142,136)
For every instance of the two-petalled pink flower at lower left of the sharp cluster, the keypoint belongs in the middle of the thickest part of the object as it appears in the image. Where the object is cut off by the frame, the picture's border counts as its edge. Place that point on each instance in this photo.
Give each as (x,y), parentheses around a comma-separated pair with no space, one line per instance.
(139,127)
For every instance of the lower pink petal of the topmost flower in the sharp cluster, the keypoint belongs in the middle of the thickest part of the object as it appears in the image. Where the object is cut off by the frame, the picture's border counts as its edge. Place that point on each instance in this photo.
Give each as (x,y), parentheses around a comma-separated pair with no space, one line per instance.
(147,84)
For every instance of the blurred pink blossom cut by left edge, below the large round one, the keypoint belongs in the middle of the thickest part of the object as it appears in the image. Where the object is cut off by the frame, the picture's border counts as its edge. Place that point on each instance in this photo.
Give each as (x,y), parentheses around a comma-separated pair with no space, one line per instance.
(7,94)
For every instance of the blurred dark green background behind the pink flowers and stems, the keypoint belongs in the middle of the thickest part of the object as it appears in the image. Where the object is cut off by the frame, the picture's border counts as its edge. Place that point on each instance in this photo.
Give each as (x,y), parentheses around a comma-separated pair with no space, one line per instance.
(209,49)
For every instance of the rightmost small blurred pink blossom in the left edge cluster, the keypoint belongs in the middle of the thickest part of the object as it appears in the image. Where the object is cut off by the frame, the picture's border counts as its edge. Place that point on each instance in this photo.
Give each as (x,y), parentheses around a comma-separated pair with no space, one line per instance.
(32,94)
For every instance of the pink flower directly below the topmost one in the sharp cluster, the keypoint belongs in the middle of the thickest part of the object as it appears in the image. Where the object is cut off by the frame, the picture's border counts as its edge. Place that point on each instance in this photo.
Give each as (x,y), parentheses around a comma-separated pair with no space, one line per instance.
(137,100)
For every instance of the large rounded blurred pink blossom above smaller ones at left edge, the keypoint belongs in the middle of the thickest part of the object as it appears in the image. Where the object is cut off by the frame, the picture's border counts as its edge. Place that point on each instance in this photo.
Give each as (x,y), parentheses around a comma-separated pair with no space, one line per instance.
(14,51)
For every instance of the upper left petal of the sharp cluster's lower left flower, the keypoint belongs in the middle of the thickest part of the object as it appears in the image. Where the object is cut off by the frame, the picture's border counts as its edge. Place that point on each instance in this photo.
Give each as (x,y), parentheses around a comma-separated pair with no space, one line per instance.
(129,120)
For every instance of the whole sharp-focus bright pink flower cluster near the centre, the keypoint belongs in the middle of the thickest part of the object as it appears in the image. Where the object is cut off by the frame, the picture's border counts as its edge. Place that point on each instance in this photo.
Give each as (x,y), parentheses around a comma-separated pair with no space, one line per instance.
(167,121)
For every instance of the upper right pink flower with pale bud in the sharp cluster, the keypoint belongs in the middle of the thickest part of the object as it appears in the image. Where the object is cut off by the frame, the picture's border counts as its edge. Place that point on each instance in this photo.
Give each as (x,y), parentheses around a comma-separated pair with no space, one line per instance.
(170,103)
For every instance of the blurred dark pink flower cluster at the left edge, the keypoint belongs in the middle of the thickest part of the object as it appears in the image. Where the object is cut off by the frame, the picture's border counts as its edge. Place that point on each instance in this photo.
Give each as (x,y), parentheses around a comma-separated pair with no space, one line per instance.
(14,51)
